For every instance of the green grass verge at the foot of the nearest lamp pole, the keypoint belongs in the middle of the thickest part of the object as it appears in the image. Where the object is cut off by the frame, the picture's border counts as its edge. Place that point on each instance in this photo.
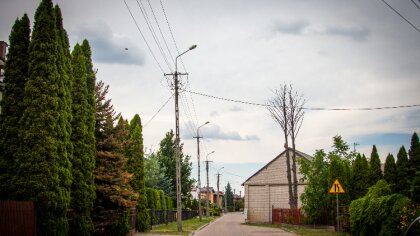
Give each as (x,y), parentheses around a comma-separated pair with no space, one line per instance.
(188,226)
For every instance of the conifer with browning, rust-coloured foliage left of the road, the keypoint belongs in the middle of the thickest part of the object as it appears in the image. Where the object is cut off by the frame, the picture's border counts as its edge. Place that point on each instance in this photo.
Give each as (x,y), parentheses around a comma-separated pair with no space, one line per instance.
(114,193)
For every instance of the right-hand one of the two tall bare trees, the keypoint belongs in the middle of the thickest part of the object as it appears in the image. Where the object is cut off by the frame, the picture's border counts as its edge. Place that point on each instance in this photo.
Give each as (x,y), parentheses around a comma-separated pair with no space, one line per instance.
(295,120)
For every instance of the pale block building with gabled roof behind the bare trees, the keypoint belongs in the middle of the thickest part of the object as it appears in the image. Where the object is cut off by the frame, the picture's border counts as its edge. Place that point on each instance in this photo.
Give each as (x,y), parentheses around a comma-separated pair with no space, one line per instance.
(268,188)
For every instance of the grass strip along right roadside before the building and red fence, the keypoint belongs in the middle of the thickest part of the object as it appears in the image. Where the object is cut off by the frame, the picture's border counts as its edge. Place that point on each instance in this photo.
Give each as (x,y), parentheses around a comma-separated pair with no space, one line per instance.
(299,230)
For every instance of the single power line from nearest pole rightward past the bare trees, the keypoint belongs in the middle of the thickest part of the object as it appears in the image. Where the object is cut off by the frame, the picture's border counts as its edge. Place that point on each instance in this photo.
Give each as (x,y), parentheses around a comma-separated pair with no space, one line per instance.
(305,108)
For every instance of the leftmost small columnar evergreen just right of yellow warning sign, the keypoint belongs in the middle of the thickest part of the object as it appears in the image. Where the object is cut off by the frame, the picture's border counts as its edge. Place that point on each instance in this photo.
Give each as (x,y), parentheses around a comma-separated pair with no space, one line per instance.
(360,177)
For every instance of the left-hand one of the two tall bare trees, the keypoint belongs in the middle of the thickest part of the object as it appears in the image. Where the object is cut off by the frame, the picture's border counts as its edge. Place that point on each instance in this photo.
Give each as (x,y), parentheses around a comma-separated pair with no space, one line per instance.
(278,110)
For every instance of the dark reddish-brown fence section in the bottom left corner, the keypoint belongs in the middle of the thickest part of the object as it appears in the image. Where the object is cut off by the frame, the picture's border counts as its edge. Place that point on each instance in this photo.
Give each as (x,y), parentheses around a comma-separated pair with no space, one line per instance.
(17,218)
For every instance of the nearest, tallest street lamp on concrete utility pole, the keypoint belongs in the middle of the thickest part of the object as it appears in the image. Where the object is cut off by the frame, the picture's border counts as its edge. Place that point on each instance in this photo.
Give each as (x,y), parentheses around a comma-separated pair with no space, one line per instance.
(178,169)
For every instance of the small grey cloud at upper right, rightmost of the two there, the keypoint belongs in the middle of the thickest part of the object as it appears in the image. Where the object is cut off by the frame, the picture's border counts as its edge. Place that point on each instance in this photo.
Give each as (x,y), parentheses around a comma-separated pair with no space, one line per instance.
(356,34)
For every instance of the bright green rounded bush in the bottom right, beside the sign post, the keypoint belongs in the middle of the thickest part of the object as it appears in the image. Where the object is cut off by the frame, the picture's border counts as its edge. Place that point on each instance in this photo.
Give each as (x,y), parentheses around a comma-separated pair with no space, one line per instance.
(381,213)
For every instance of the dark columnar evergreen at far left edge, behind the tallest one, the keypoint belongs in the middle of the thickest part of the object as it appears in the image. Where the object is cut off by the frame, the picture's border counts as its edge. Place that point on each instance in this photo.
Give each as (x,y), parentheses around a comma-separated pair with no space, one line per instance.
(16,75)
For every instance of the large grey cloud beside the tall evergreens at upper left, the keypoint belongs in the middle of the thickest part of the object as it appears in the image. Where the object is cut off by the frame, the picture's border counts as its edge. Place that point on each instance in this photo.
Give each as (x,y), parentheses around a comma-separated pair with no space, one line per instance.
(108,47)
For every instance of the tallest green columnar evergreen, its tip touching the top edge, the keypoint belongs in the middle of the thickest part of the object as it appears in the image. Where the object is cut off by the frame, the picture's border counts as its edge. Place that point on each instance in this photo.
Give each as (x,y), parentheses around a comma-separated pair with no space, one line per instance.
(44,174)
